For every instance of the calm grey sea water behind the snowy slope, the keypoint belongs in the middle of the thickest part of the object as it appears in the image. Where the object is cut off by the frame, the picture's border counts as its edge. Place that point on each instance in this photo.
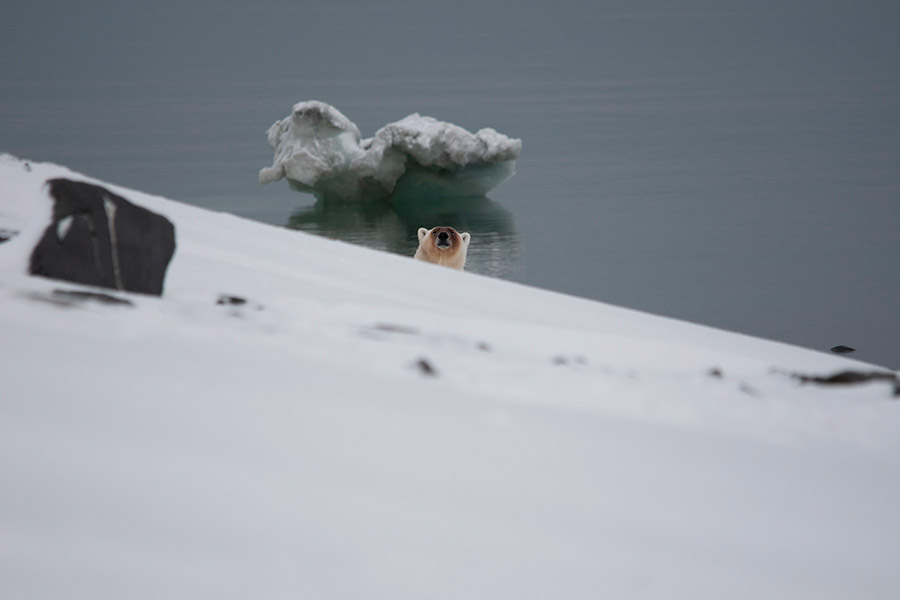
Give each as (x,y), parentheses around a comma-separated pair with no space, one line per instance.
(735,164)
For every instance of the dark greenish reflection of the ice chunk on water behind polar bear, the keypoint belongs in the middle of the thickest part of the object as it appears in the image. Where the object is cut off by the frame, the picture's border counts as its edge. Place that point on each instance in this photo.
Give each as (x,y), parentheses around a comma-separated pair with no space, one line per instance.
(391,225)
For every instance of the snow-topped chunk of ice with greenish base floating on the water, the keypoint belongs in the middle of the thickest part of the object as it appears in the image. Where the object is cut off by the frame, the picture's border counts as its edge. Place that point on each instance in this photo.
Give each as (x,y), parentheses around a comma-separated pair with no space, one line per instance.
(321,151)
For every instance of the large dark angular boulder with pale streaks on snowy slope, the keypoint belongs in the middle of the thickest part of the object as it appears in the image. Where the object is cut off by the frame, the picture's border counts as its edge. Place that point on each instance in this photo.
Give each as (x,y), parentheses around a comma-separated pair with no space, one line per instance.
(99,238)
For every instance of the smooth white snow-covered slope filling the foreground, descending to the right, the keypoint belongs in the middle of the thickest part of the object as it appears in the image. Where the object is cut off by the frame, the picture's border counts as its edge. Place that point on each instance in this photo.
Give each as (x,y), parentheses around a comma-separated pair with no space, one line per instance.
(291,447)
